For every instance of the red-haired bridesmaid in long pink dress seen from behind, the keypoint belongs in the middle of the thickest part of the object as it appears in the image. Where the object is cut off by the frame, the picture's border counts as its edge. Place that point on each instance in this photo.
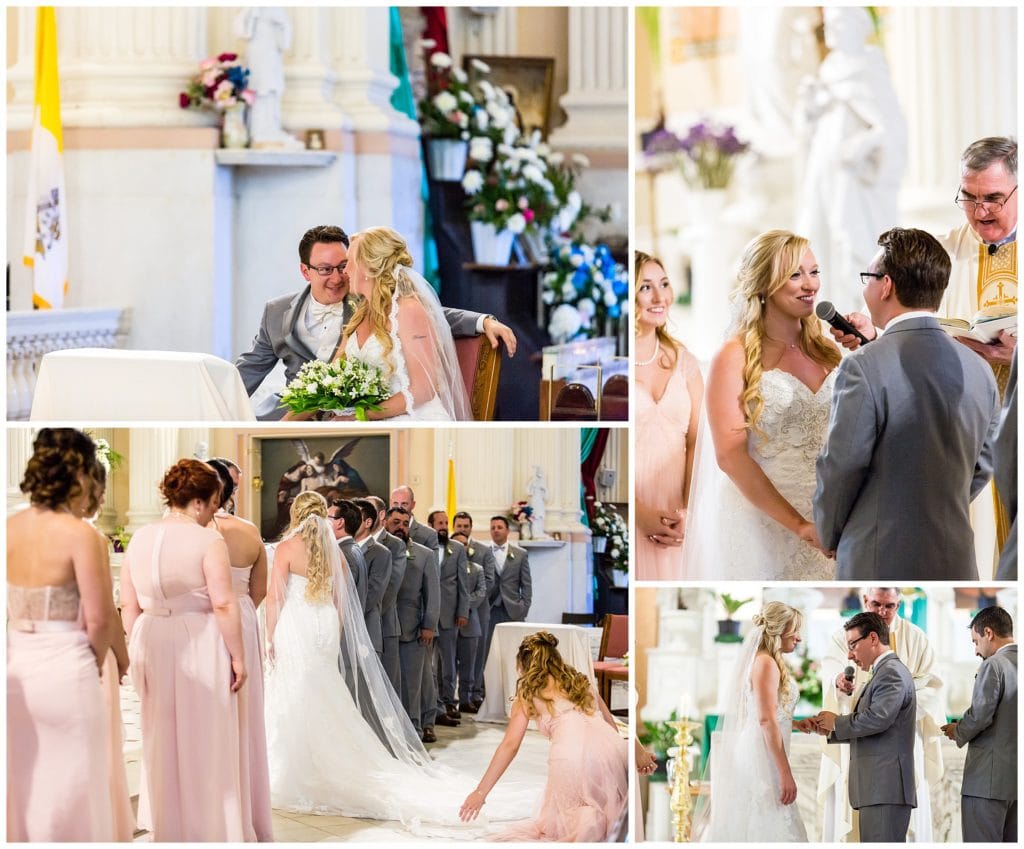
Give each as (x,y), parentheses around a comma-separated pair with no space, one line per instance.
(188,662)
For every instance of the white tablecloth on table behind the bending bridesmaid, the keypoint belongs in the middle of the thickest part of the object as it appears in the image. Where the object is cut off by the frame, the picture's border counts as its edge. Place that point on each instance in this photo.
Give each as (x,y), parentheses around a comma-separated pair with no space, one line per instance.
(500,672)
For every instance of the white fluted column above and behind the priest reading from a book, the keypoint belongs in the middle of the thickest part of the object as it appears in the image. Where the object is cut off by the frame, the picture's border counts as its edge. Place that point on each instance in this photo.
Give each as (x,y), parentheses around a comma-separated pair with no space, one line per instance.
(943,63)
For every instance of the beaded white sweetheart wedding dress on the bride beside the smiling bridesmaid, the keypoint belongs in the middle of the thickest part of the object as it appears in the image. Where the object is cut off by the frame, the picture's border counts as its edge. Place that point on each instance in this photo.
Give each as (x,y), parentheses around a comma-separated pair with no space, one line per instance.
(727,536)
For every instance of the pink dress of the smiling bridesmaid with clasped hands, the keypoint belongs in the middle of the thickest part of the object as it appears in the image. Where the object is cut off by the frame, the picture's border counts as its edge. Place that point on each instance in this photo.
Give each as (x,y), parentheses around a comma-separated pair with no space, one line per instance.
(661,458)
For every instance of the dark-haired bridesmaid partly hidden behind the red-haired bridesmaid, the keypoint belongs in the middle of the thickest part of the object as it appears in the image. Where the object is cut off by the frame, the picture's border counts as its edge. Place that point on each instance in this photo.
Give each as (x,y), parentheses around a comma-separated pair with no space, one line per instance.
(249,578)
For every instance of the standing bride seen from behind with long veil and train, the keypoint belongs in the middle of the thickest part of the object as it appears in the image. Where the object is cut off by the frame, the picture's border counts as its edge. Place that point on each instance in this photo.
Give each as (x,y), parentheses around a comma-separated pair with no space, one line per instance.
(330,752)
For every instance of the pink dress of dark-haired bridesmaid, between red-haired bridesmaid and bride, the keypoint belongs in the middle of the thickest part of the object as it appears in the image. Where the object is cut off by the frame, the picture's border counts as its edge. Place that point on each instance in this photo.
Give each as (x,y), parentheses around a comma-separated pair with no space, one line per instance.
(252,734)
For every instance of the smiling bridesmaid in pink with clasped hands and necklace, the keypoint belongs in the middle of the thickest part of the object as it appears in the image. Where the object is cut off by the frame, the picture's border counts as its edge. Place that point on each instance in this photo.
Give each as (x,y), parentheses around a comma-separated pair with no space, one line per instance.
(668,412)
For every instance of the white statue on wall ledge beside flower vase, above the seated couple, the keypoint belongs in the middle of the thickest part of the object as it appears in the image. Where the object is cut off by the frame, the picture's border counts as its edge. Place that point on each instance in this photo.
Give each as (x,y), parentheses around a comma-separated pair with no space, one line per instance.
(269,32)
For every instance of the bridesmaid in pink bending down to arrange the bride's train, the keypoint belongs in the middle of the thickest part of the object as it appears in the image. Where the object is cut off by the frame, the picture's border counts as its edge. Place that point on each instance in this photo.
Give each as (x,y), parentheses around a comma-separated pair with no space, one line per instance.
(587,790)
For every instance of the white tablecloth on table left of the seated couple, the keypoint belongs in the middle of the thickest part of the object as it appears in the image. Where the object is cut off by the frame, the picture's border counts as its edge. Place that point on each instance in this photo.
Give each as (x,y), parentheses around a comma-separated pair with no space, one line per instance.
(112,385)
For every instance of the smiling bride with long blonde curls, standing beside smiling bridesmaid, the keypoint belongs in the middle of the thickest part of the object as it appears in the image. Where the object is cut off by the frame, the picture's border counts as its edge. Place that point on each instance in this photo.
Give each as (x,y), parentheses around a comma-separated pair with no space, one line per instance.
(767,402)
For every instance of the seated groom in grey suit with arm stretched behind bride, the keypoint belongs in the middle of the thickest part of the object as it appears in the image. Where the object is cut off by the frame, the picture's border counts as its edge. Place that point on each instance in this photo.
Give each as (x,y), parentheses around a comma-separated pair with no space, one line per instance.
(298,328)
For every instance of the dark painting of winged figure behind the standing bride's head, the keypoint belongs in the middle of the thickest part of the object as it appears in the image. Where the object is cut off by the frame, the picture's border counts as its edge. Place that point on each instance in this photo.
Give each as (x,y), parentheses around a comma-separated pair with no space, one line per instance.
(339,466)
